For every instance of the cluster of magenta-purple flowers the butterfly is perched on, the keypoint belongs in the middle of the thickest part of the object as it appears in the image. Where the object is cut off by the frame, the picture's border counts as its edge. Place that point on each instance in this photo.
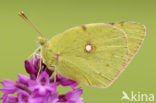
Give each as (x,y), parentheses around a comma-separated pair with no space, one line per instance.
(41,89)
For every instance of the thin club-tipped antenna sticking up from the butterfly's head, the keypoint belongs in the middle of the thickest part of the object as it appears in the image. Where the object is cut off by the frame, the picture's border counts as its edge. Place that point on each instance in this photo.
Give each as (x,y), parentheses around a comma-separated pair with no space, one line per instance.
(21,14)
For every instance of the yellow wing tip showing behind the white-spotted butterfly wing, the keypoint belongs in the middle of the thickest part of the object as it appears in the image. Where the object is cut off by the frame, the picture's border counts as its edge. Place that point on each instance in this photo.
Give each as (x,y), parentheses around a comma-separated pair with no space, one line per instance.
(135,33)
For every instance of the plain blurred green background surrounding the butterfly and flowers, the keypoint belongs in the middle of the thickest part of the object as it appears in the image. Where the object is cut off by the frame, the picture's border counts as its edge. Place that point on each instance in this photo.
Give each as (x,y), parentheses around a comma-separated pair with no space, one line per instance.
(18,39)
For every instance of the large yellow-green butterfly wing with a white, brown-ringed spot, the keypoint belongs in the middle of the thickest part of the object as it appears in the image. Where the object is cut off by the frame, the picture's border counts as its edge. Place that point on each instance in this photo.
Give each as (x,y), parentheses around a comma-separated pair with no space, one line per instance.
(92,54)
